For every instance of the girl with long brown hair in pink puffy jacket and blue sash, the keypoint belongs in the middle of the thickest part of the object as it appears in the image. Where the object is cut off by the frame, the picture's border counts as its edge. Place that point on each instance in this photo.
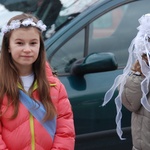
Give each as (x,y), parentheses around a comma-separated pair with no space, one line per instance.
(35,113)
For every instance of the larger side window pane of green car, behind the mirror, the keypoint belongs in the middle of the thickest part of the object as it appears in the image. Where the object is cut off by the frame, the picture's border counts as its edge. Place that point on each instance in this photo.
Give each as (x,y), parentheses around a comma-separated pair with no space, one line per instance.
(114,31)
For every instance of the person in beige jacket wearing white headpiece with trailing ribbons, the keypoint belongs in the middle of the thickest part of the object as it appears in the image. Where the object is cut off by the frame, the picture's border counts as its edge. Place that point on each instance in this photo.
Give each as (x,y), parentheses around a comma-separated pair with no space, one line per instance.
(134,88)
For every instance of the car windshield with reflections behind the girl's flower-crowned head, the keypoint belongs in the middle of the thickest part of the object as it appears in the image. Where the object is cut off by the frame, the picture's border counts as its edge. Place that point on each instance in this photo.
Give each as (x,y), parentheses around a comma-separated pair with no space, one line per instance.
(54,13)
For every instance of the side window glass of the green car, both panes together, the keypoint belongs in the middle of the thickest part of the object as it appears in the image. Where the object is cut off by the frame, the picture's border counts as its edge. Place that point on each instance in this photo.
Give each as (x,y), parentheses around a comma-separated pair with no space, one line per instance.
(111,32)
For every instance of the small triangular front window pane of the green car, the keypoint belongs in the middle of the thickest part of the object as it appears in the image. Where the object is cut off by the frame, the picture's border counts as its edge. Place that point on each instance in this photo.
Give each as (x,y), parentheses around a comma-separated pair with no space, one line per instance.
(71,51)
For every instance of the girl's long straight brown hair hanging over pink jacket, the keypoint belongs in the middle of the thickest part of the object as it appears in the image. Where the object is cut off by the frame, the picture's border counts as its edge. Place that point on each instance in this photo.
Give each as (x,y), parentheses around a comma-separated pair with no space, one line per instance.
(9,75)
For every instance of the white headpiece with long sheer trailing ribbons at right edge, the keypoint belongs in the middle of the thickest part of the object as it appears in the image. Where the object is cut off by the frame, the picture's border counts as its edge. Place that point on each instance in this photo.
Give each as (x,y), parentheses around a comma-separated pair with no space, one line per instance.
(140,45)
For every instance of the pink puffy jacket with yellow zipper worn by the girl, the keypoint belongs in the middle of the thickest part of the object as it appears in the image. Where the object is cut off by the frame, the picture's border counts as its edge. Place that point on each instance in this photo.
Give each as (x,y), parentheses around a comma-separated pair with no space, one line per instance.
(26,133)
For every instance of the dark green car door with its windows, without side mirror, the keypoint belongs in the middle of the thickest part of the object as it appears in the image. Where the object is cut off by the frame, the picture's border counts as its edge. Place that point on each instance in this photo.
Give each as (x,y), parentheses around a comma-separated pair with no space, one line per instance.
(109,28)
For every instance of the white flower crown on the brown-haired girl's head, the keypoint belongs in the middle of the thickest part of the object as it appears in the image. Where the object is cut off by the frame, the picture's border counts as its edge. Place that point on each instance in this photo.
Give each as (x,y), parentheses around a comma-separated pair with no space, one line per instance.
(15,24)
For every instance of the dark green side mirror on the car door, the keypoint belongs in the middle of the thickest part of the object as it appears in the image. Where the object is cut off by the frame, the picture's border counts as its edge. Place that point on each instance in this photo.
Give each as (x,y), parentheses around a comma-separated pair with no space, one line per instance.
(95,62)
